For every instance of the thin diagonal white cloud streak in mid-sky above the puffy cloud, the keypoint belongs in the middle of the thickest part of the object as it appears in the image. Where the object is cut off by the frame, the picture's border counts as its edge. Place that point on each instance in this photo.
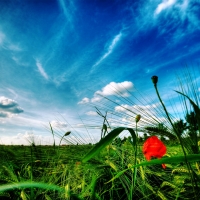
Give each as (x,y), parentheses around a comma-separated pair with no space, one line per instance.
(110,49)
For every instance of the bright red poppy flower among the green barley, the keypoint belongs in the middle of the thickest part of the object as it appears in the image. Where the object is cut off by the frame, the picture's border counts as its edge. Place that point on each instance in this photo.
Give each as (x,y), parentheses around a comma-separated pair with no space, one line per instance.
(153,147)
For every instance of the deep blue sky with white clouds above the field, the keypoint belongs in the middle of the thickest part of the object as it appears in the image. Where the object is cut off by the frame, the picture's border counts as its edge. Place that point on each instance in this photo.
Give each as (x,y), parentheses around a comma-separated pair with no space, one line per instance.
(58,58)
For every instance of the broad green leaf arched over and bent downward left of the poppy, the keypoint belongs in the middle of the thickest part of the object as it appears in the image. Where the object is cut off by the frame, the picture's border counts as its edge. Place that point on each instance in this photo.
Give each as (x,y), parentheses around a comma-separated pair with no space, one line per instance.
(107,140)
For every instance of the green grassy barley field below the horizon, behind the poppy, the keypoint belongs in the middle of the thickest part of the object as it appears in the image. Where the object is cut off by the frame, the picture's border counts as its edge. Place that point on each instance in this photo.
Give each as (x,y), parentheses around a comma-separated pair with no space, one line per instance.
(45,172)
